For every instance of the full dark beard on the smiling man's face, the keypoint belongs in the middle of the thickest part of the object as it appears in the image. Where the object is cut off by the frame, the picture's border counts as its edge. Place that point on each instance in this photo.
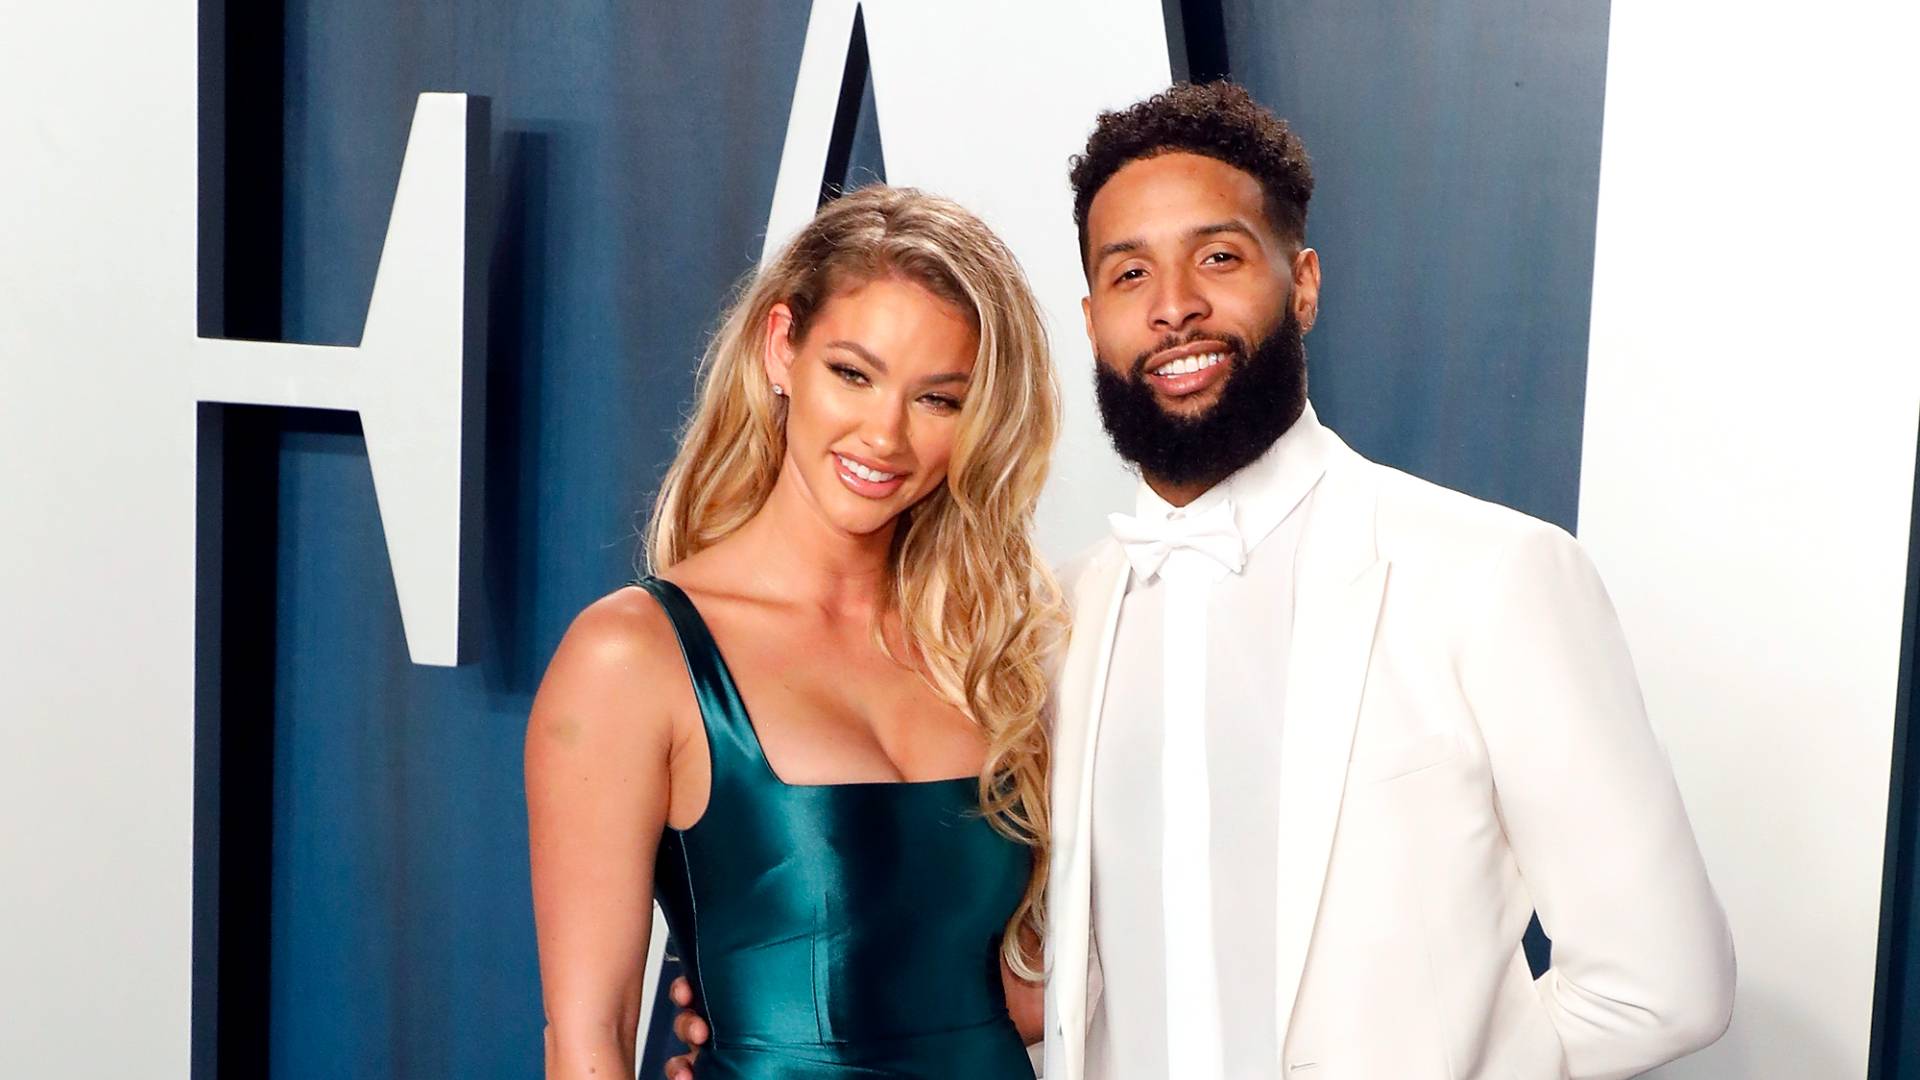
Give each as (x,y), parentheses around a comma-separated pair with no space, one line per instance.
(1264,395)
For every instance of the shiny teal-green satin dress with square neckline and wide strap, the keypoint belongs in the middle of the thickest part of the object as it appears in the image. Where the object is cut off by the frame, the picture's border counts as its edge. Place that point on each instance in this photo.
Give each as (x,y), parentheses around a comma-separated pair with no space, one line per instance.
(840,931)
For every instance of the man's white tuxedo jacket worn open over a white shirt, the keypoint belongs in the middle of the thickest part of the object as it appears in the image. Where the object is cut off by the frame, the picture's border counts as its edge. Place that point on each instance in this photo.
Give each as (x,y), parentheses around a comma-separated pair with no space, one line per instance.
(1464,745)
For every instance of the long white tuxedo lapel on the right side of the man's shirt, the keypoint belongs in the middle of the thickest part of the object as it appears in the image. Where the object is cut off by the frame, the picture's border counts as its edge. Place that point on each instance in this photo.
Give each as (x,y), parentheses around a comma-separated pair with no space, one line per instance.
(1339,583)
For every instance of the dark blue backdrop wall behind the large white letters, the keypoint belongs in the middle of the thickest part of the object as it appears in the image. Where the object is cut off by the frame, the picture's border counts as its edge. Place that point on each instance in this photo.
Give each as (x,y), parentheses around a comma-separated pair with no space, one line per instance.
(372,893)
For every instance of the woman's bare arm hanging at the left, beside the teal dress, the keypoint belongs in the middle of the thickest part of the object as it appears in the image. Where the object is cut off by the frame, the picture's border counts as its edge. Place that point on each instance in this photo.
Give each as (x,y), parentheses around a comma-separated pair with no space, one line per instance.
(598,747)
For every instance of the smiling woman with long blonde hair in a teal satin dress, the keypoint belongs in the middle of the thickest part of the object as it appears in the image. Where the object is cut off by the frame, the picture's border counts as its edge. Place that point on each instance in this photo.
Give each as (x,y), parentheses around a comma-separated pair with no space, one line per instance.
(846,818)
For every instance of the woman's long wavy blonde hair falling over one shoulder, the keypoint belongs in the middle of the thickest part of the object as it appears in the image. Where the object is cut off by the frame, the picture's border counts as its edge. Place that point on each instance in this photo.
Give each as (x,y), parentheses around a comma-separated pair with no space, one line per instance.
(978,606)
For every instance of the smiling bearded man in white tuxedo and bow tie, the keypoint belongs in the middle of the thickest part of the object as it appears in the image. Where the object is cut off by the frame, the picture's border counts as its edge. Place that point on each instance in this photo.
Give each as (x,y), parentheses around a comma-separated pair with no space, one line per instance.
(1328,735)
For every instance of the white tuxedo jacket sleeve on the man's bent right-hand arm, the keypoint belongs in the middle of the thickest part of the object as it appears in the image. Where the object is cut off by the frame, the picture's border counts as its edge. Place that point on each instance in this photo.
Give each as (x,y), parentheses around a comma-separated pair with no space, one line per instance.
(1643,956)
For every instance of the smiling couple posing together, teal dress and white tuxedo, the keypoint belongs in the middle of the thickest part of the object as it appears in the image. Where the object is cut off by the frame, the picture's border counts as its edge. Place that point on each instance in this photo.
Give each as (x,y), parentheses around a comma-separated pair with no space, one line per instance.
(1268,785)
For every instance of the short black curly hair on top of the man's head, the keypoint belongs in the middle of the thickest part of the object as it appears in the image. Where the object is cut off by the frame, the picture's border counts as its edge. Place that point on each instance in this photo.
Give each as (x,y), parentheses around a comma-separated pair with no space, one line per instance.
(1216,120)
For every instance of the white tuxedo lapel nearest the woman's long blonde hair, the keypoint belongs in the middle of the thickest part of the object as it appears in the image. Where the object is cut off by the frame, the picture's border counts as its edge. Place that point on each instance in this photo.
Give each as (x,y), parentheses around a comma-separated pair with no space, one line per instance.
(1097,599)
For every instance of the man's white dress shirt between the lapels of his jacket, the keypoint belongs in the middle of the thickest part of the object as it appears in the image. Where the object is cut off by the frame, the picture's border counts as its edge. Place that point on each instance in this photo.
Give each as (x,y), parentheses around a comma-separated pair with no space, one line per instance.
(1236,702)
